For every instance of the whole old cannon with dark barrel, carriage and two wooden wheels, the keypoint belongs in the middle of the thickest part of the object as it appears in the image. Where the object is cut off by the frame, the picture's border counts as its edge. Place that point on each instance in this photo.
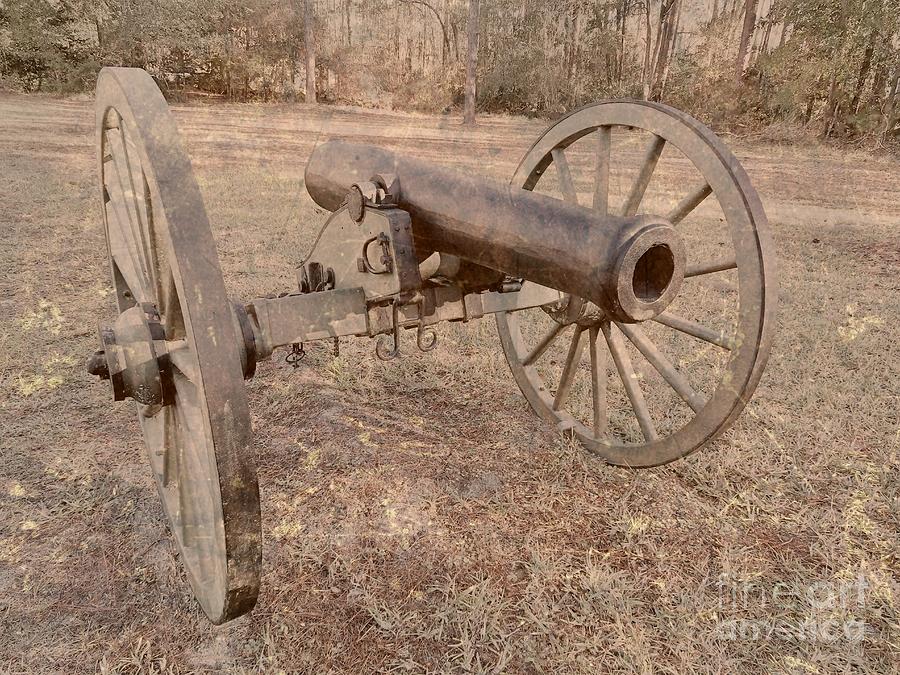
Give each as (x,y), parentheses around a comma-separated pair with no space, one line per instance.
(409,245)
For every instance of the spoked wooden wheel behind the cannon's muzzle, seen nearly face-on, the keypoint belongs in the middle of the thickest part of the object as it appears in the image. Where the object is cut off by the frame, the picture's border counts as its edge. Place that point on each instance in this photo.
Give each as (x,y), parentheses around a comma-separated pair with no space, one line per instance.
(655,390)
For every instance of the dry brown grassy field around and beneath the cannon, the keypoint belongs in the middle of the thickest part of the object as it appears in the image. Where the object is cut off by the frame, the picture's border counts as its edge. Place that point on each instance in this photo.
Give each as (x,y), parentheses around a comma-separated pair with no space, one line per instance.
(417,516)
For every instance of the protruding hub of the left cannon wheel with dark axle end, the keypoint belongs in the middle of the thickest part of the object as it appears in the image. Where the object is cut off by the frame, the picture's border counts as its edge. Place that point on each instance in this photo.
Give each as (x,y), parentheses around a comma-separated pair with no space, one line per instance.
(134,357)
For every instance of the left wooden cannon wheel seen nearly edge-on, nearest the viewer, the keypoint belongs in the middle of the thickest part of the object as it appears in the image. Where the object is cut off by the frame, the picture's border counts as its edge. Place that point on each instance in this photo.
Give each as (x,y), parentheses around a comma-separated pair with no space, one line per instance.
(165,271)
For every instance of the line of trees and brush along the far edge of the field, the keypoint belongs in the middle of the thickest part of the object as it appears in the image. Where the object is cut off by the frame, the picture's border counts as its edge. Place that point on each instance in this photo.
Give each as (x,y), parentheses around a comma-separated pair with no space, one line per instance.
(829,65)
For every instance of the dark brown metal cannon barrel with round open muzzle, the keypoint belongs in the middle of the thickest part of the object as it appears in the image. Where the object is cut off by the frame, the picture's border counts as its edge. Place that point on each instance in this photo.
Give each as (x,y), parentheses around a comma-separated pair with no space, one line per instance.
(631,267)
